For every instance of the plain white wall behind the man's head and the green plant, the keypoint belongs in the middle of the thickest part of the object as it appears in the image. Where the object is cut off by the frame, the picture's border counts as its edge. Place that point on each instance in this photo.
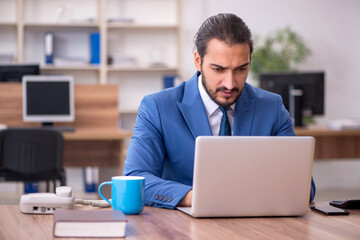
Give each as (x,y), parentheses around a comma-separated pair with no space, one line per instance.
(331,29)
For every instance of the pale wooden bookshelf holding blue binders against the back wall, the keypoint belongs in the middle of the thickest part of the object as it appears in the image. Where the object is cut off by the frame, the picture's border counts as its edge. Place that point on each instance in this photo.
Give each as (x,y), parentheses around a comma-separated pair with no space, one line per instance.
(141,37)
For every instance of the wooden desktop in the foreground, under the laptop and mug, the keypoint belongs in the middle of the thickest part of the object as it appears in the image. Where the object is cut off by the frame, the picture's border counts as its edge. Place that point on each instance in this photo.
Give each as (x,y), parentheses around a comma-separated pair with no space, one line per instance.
(154,223)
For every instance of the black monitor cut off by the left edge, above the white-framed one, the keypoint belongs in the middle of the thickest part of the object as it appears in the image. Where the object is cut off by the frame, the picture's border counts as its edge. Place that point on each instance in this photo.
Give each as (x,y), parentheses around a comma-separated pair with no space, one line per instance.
(15,72)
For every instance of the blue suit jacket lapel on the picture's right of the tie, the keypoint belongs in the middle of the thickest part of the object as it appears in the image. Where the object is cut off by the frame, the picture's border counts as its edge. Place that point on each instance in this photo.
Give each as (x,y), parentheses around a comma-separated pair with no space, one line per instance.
(244,114)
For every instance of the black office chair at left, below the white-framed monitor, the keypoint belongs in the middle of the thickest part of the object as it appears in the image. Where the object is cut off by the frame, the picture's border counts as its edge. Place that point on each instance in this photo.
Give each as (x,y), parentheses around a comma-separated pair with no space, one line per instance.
(32,154)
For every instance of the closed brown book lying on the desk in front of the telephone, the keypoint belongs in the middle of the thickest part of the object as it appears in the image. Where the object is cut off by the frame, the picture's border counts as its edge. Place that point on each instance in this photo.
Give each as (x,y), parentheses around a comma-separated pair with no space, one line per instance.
(93,223)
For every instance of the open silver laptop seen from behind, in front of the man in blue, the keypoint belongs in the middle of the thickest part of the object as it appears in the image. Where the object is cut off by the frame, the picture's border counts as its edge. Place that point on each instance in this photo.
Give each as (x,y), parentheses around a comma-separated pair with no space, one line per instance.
(251,176)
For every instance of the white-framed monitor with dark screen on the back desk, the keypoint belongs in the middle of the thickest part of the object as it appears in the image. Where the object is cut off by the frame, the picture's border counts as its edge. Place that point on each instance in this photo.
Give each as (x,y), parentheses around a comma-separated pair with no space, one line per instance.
(48,99)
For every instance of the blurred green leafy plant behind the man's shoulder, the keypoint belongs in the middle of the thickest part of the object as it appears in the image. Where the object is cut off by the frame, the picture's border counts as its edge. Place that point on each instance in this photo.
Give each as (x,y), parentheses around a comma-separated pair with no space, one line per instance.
(280,51)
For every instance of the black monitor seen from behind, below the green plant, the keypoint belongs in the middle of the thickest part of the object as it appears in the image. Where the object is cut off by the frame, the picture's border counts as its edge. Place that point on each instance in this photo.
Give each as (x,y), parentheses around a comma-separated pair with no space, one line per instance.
(302,92)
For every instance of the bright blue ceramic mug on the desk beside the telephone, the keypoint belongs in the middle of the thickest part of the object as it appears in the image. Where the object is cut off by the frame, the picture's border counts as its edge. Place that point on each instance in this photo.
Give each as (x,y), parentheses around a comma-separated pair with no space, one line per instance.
(127,194)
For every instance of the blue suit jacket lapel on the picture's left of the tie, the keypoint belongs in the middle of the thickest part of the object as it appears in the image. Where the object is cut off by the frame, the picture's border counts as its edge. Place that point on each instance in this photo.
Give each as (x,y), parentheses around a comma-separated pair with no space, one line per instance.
(193,110)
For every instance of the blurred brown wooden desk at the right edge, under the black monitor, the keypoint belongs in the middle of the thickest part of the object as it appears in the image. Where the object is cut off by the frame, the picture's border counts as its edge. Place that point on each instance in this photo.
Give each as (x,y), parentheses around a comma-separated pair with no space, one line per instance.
(331,144)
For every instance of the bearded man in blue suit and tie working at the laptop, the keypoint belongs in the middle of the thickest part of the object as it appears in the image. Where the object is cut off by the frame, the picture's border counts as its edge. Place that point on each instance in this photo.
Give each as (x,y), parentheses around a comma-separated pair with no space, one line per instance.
(168,122)
